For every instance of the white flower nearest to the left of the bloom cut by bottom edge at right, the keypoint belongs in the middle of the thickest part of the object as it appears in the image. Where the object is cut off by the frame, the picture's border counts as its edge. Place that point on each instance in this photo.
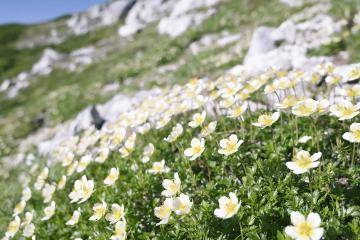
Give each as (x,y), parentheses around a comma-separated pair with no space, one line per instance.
(228,207)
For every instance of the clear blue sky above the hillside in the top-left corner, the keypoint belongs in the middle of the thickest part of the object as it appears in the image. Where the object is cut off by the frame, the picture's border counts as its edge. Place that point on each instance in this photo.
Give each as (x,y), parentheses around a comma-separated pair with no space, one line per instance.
(34,11)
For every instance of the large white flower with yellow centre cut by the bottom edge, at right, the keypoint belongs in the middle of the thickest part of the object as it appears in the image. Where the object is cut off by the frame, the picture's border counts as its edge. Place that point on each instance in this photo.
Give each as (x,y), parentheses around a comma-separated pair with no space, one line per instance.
(302,228)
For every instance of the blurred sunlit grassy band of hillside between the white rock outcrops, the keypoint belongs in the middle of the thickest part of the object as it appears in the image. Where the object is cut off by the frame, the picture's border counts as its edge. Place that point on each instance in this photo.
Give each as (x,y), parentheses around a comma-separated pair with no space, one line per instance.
(61,97)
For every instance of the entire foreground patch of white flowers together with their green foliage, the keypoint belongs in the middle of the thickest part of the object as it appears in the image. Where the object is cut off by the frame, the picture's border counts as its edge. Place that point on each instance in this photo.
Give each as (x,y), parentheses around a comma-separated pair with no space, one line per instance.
(271,156)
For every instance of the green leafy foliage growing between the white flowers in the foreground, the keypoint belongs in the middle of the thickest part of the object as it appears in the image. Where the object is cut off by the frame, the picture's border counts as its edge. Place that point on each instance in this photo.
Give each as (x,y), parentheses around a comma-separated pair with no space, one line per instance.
(257,173)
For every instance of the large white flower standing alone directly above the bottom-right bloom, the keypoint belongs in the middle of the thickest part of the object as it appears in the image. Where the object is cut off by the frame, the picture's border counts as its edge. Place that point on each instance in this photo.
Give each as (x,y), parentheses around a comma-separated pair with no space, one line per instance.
(302,162)
